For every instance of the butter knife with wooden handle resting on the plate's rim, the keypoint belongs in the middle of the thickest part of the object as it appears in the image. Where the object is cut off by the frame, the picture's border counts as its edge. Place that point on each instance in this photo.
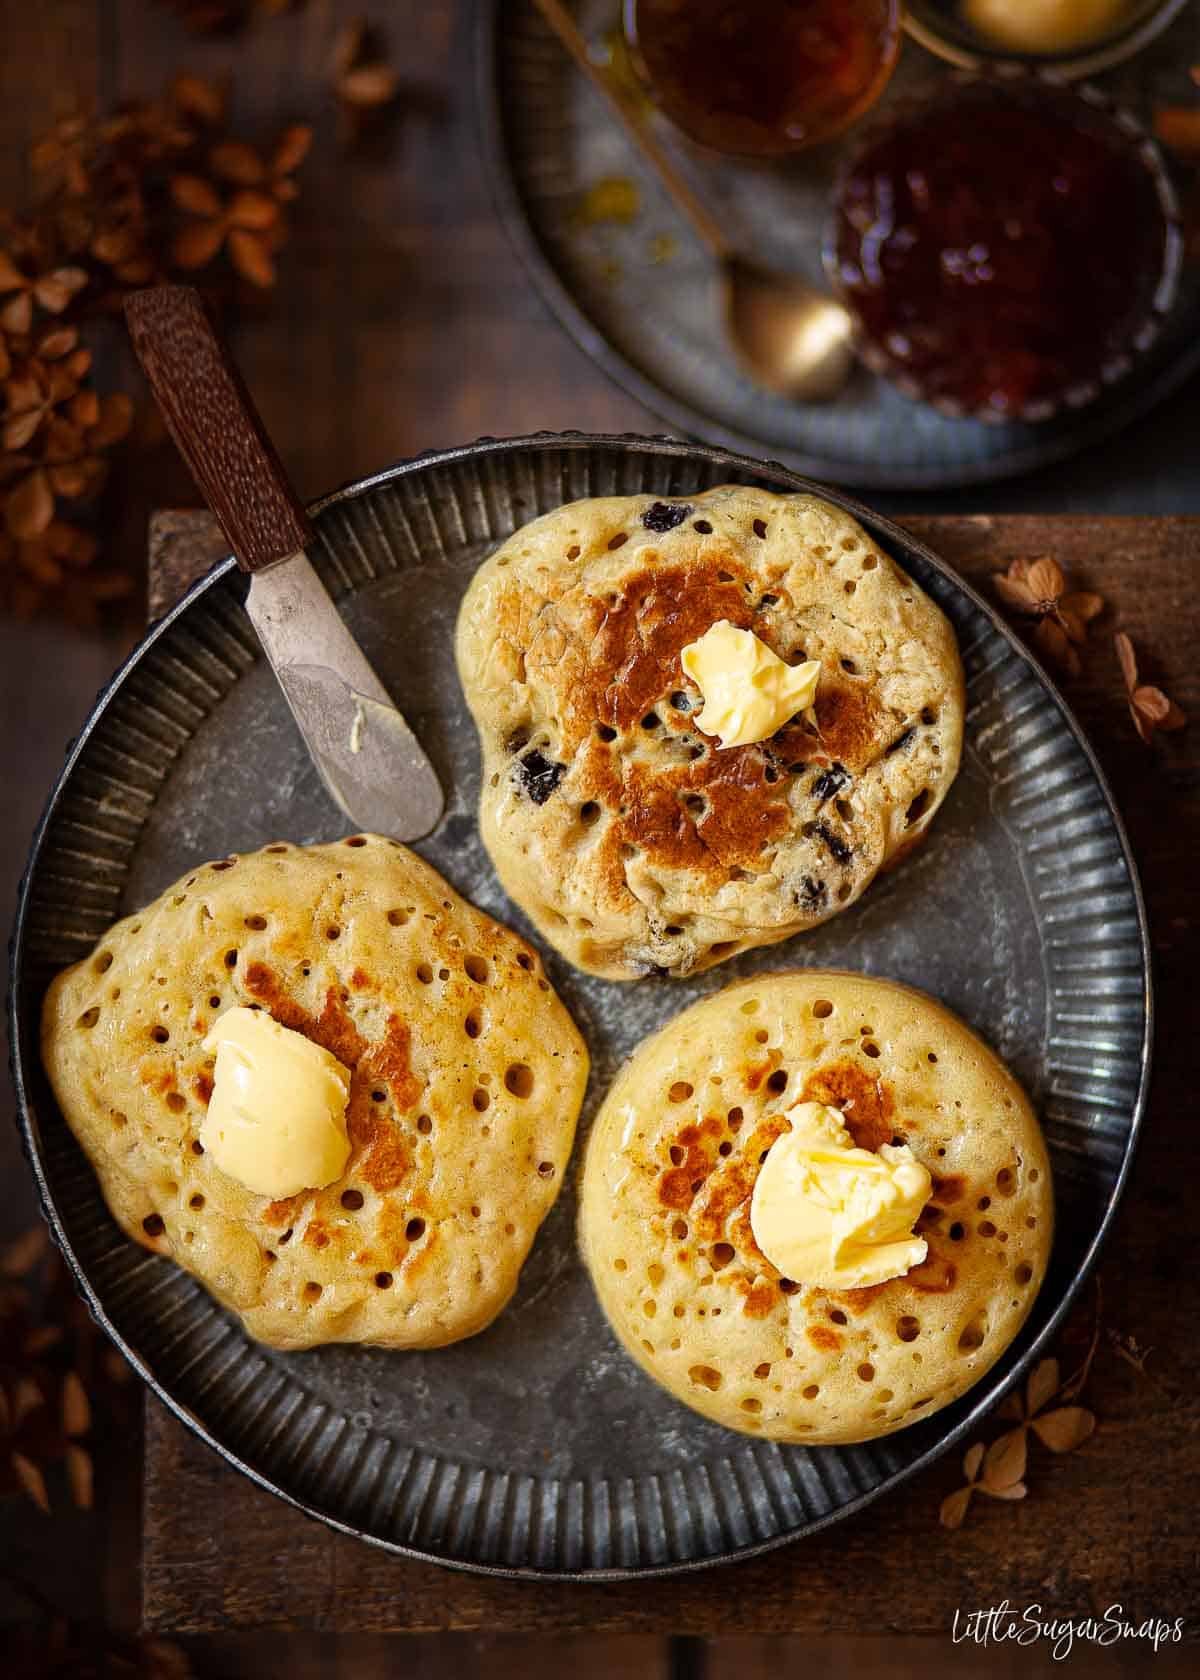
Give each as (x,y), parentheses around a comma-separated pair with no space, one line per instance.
(369,759)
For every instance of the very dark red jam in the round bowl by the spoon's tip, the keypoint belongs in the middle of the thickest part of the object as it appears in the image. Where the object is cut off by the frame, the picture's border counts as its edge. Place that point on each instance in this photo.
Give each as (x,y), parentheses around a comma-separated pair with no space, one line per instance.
(1003,249)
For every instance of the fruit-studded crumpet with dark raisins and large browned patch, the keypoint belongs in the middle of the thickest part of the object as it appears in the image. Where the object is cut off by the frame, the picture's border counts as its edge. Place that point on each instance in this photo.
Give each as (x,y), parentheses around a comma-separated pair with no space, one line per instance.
(633,841)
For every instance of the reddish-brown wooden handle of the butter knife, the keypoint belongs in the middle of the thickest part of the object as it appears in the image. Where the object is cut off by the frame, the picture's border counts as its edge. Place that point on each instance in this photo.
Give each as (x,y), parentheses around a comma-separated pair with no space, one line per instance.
(216,426)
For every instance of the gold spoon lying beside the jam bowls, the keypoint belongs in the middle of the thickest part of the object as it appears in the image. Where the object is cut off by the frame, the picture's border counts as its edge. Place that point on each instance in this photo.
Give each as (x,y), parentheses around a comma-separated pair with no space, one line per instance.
(789,335)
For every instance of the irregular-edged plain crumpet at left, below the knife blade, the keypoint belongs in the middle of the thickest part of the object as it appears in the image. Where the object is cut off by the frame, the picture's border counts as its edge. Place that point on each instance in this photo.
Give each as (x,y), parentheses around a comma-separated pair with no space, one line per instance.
(466,1083)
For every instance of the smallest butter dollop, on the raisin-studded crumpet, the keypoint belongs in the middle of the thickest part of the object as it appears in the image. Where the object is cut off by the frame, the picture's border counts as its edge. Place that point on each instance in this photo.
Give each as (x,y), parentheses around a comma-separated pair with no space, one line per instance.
(749,691)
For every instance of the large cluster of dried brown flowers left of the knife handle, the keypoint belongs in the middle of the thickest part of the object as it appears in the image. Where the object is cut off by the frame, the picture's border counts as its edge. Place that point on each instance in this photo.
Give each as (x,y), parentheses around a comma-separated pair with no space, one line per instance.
(120,207)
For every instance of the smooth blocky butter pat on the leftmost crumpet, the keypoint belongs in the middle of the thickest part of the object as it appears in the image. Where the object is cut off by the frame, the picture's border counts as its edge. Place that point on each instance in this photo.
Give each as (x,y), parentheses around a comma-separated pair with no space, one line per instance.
(278,1113)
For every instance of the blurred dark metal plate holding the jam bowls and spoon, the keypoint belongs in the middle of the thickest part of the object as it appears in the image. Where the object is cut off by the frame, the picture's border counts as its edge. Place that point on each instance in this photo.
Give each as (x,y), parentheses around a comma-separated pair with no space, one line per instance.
(655,325)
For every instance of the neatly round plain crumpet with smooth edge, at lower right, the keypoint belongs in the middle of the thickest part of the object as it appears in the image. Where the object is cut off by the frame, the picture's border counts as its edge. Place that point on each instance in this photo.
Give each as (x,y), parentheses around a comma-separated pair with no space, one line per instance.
(670,1175)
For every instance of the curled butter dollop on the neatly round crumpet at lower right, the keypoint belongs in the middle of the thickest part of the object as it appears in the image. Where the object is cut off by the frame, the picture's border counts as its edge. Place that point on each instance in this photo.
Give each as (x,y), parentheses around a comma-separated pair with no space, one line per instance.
(833,1215)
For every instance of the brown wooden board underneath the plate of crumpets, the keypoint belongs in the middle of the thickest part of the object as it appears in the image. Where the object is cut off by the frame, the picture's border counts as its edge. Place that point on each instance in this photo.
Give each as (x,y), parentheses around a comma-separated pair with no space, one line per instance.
(1112,1525)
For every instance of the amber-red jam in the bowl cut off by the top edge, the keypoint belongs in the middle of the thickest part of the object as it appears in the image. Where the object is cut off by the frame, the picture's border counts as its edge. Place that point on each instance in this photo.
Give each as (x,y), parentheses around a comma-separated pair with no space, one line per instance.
(761,78)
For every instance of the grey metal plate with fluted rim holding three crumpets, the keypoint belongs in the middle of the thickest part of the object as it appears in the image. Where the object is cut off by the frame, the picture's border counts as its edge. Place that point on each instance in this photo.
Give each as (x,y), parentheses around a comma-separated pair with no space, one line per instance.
(539,1447)
